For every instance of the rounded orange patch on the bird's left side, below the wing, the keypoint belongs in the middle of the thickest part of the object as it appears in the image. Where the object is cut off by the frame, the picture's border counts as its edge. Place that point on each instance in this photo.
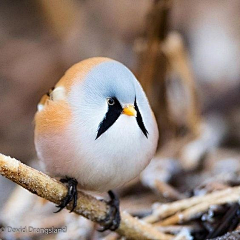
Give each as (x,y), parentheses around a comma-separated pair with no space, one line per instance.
(55,117)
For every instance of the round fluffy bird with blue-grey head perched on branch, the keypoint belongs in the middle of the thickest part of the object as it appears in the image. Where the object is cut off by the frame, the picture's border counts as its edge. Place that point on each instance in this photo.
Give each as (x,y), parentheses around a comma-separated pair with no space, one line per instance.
(95,130)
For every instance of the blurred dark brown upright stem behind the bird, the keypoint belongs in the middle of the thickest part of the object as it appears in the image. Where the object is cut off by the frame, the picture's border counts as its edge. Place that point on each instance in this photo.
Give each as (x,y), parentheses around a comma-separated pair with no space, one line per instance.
(153,66)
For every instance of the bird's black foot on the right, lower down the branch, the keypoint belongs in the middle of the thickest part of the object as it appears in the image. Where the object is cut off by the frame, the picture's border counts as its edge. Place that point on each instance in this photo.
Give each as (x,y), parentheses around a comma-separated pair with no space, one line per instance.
(113,218)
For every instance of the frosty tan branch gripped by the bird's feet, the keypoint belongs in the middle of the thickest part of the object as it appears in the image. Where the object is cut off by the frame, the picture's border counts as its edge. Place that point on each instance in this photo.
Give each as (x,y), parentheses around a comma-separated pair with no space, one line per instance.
(87,206)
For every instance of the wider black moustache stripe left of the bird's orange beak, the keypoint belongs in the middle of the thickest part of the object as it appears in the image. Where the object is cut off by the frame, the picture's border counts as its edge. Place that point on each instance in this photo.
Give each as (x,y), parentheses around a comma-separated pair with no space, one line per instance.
(113,113)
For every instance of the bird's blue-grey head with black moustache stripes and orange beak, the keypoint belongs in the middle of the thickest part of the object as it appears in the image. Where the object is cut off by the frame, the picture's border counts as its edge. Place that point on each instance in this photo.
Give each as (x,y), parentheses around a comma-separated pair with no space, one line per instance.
(105,93)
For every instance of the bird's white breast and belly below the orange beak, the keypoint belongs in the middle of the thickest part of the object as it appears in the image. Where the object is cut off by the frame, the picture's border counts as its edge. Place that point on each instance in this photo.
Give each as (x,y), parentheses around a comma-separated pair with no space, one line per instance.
(113,159)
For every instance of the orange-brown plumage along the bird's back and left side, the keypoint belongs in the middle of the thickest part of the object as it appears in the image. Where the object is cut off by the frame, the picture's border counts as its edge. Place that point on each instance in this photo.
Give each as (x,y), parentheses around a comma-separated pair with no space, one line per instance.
(55,115)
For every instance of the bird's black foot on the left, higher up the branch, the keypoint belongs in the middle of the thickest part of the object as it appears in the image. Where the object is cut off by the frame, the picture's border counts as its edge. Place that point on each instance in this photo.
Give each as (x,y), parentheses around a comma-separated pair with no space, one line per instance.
(71,194)
